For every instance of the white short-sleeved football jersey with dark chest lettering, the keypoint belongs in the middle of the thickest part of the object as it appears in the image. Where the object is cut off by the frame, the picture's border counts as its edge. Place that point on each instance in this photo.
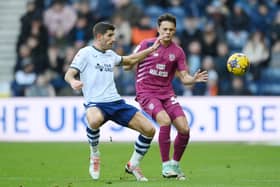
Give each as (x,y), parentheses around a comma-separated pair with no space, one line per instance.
(97,74)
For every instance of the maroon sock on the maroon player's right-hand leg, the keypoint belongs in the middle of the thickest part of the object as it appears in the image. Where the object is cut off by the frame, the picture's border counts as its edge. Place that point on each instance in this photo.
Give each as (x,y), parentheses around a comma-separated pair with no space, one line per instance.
(180,144)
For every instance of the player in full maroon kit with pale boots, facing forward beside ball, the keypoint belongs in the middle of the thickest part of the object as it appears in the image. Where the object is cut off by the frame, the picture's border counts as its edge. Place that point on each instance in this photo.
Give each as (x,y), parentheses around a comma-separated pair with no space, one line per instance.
(156,96)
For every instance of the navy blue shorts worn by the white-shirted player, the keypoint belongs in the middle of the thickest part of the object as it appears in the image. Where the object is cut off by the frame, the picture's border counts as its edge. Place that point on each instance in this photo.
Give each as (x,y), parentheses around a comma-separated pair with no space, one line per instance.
(117,111)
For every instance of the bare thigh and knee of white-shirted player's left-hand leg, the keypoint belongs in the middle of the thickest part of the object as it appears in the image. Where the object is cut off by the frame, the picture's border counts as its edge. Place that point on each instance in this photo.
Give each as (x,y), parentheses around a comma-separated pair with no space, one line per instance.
(95,117)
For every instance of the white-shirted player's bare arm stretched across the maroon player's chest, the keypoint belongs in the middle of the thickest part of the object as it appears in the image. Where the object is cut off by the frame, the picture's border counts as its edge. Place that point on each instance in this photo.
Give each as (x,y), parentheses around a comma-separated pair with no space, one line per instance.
(134,58)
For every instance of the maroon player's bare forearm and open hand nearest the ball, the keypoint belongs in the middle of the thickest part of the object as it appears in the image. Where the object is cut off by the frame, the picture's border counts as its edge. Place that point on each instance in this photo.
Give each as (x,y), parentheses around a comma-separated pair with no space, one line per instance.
(187,79)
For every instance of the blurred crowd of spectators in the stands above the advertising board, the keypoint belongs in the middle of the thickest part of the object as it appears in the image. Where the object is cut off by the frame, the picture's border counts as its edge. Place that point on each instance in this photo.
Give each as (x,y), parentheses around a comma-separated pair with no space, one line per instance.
(40,37)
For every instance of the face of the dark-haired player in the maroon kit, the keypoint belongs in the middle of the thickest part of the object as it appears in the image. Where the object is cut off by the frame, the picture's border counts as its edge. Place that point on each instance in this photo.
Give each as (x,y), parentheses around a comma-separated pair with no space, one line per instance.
(166,30)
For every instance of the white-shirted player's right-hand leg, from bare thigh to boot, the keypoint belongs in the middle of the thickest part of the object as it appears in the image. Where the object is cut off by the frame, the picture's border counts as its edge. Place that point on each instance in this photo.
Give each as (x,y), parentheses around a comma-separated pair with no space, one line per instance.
(141,124)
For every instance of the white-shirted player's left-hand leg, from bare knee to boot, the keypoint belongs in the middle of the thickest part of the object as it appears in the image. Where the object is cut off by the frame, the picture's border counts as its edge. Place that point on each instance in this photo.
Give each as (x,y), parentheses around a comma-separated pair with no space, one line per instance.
(95,120)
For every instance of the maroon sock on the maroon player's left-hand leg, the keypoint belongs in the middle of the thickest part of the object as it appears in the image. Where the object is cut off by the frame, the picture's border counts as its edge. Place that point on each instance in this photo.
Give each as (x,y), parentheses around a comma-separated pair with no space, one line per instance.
(164,142)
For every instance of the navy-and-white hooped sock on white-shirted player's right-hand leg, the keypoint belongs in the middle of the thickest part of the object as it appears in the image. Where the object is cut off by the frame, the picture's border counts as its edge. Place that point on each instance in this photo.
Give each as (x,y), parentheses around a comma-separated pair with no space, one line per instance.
(141,146)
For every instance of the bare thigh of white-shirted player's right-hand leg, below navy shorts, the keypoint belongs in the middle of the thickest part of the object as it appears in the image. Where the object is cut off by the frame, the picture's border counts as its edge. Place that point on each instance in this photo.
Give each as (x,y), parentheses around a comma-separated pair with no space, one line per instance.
(141,124)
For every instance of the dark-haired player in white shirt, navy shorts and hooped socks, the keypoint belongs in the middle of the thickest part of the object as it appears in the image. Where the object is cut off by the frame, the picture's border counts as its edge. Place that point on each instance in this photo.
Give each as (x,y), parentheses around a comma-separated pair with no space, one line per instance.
(95,66)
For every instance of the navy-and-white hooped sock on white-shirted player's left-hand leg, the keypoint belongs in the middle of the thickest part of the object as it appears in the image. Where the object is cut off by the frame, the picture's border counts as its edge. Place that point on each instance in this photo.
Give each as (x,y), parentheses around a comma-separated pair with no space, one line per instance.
(93,139)
